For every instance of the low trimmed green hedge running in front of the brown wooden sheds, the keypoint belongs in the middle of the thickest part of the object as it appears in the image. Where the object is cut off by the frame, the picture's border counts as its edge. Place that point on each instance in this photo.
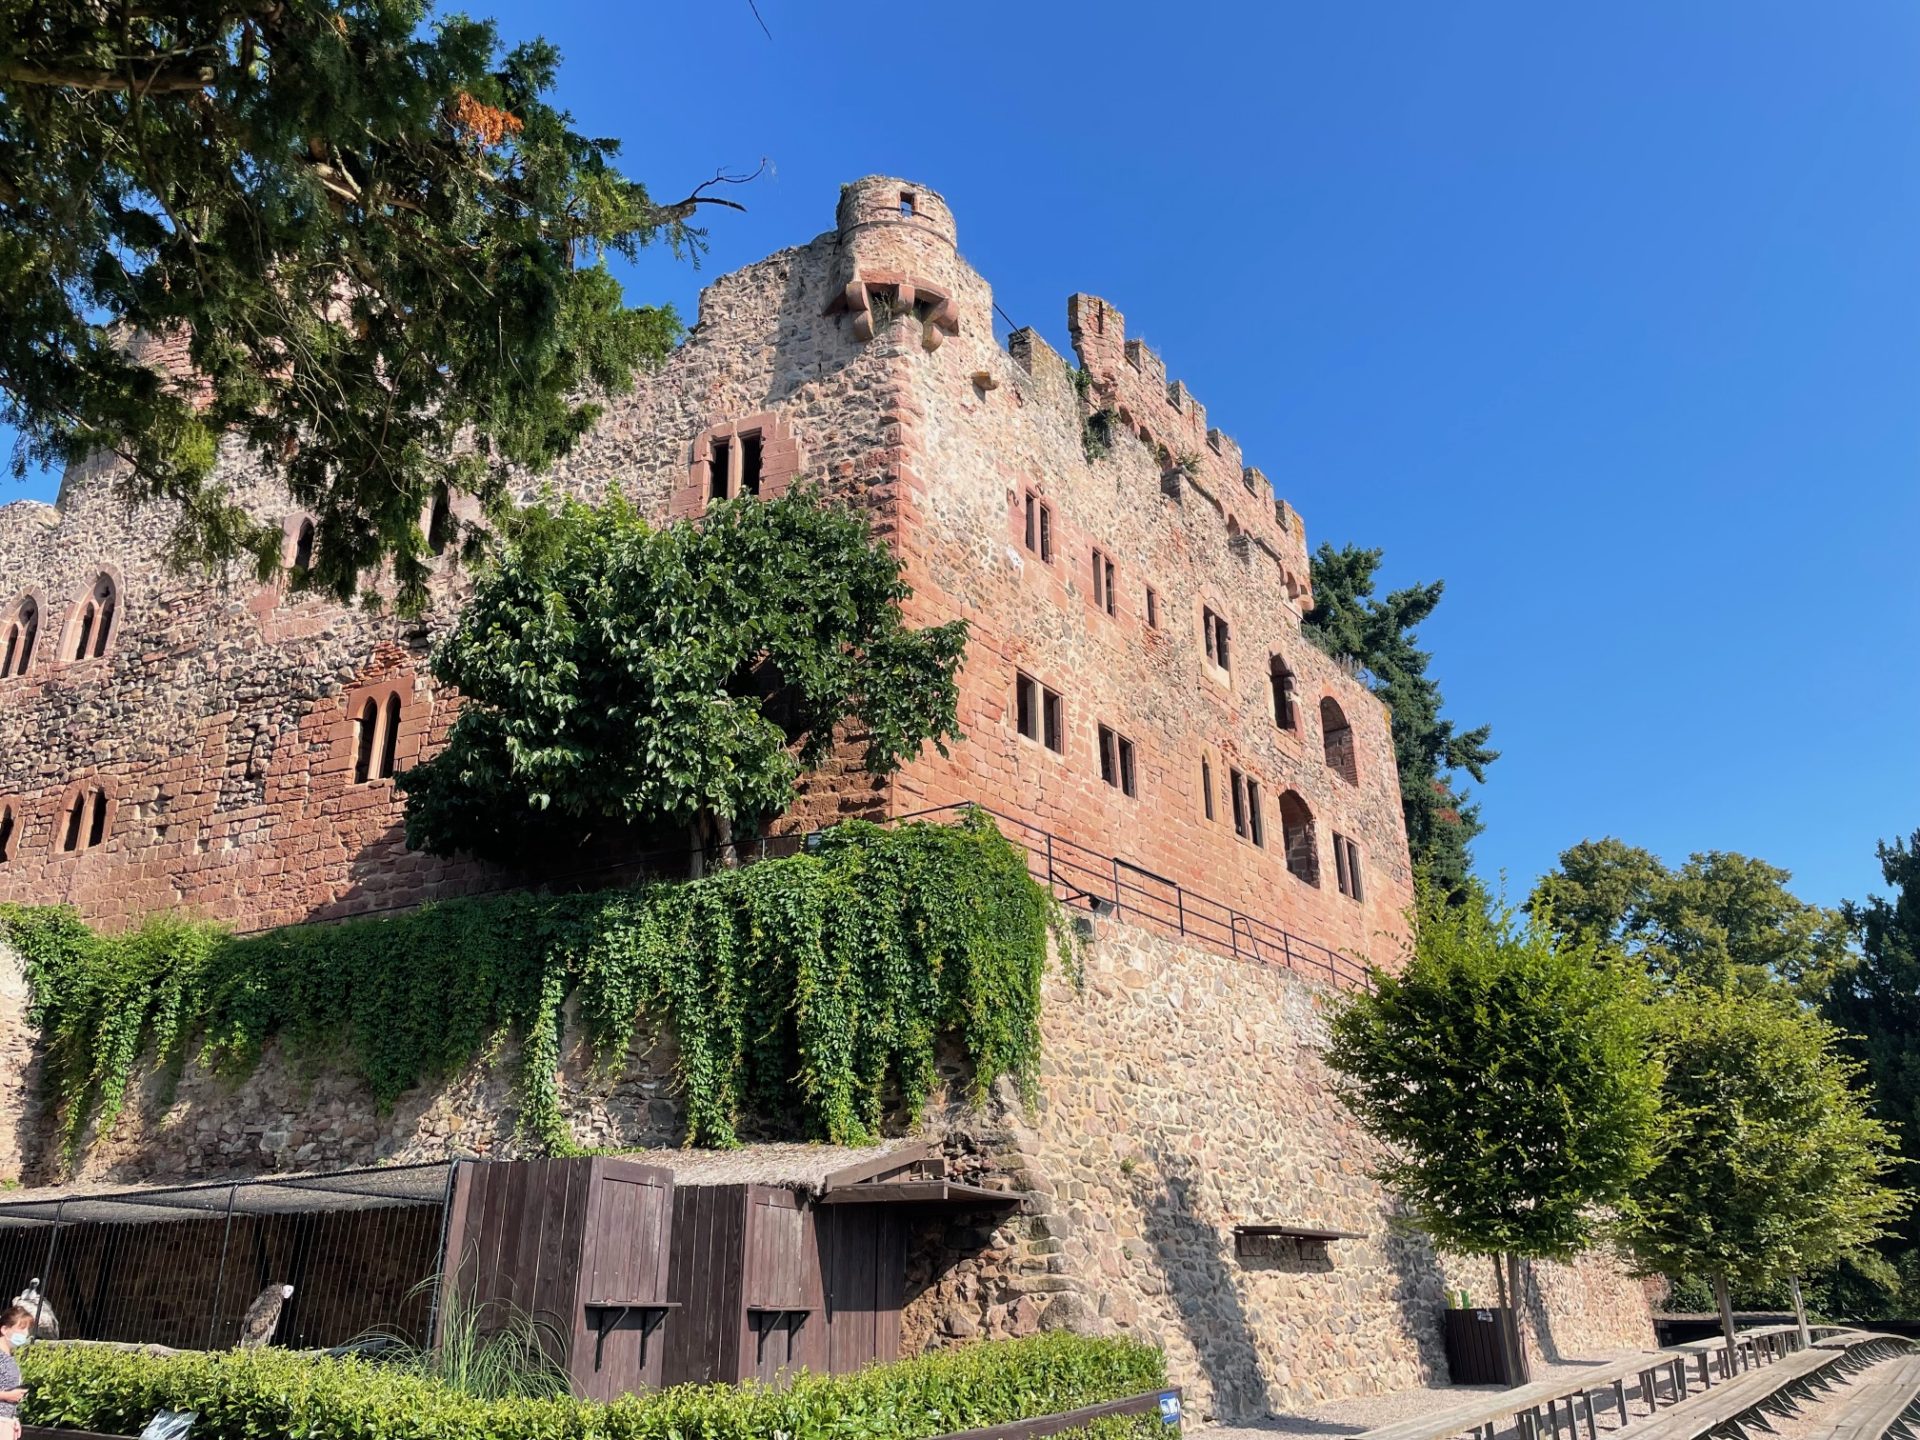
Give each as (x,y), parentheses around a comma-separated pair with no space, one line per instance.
(279,1395)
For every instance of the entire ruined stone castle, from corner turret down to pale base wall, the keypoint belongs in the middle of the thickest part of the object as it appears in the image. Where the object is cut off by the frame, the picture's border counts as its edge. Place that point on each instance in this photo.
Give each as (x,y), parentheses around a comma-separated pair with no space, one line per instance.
(1138,704)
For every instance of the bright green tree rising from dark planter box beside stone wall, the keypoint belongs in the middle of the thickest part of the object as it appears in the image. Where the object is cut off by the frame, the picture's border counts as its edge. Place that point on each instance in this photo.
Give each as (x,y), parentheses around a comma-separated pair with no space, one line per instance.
(1508,1074)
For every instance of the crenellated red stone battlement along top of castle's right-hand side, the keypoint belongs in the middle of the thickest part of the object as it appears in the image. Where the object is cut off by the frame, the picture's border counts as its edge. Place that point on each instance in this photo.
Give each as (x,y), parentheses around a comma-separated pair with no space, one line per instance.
(1130,381)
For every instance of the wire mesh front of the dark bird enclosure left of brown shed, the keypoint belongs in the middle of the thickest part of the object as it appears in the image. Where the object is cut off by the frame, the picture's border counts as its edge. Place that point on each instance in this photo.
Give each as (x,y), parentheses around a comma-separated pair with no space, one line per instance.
(183,1266)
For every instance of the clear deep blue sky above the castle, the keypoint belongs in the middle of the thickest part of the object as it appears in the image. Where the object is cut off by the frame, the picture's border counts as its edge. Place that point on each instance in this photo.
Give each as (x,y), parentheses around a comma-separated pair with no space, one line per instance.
(1608,316)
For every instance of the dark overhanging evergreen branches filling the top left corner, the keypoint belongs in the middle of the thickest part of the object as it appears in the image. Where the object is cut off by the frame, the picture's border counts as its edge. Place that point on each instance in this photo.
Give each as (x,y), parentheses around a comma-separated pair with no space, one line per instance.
(379,241)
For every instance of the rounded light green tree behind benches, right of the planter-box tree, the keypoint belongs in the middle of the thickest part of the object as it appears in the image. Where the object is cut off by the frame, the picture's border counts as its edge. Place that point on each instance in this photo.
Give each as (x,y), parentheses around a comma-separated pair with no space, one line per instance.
(1767,1163)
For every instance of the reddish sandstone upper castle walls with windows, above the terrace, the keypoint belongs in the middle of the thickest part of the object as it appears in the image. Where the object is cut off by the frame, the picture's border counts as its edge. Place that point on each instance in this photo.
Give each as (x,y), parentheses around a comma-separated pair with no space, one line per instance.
(220,721)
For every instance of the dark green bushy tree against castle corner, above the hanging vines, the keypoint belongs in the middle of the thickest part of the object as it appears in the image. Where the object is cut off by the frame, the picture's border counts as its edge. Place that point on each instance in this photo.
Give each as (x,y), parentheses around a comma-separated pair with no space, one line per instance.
(615,673)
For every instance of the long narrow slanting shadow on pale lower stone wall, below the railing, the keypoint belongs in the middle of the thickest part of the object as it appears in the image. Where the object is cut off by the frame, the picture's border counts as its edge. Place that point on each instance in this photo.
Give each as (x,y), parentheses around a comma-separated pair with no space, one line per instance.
(1195,1259)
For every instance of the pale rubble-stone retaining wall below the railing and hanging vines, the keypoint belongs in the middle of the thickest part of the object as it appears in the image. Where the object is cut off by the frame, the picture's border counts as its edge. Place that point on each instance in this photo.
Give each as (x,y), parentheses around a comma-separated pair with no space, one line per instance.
(1180,1095)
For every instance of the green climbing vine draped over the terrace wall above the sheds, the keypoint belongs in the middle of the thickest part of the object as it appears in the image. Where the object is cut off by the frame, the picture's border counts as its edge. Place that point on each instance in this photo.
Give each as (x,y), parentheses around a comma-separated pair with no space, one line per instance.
(813,986)
